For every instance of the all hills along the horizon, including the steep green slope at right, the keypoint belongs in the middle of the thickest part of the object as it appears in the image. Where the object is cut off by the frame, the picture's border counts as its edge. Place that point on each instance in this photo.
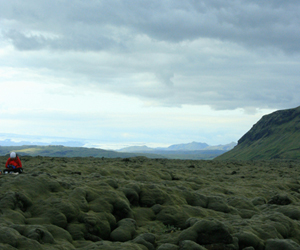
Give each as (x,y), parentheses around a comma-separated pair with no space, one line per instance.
(274,136)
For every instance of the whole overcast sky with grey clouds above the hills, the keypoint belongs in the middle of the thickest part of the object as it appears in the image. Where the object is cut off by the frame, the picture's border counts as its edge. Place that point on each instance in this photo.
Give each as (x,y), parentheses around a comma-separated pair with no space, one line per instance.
(138,72)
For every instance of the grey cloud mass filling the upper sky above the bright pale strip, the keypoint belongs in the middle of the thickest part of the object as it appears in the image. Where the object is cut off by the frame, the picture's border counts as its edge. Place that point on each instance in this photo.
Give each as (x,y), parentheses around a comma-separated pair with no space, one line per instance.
(226,54)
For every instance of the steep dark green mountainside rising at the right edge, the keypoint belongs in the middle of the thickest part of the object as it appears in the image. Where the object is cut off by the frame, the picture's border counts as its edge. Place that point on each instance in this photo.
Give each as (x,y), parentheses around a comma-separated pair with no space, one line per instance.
(274,136)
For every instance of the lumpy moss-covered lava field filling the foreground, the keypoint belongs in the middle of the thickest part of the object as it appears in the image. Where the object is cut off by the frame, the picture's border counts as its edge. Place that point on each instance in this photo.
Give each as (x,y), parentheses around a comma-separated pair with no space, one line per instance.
(140,204)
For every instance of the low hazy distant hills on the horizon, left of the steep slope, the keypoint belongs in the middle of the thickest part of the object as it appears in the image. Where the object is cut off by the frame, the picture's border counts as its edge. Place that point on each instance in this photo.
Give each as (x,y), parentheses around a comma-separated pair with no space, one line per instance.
(179,151)
